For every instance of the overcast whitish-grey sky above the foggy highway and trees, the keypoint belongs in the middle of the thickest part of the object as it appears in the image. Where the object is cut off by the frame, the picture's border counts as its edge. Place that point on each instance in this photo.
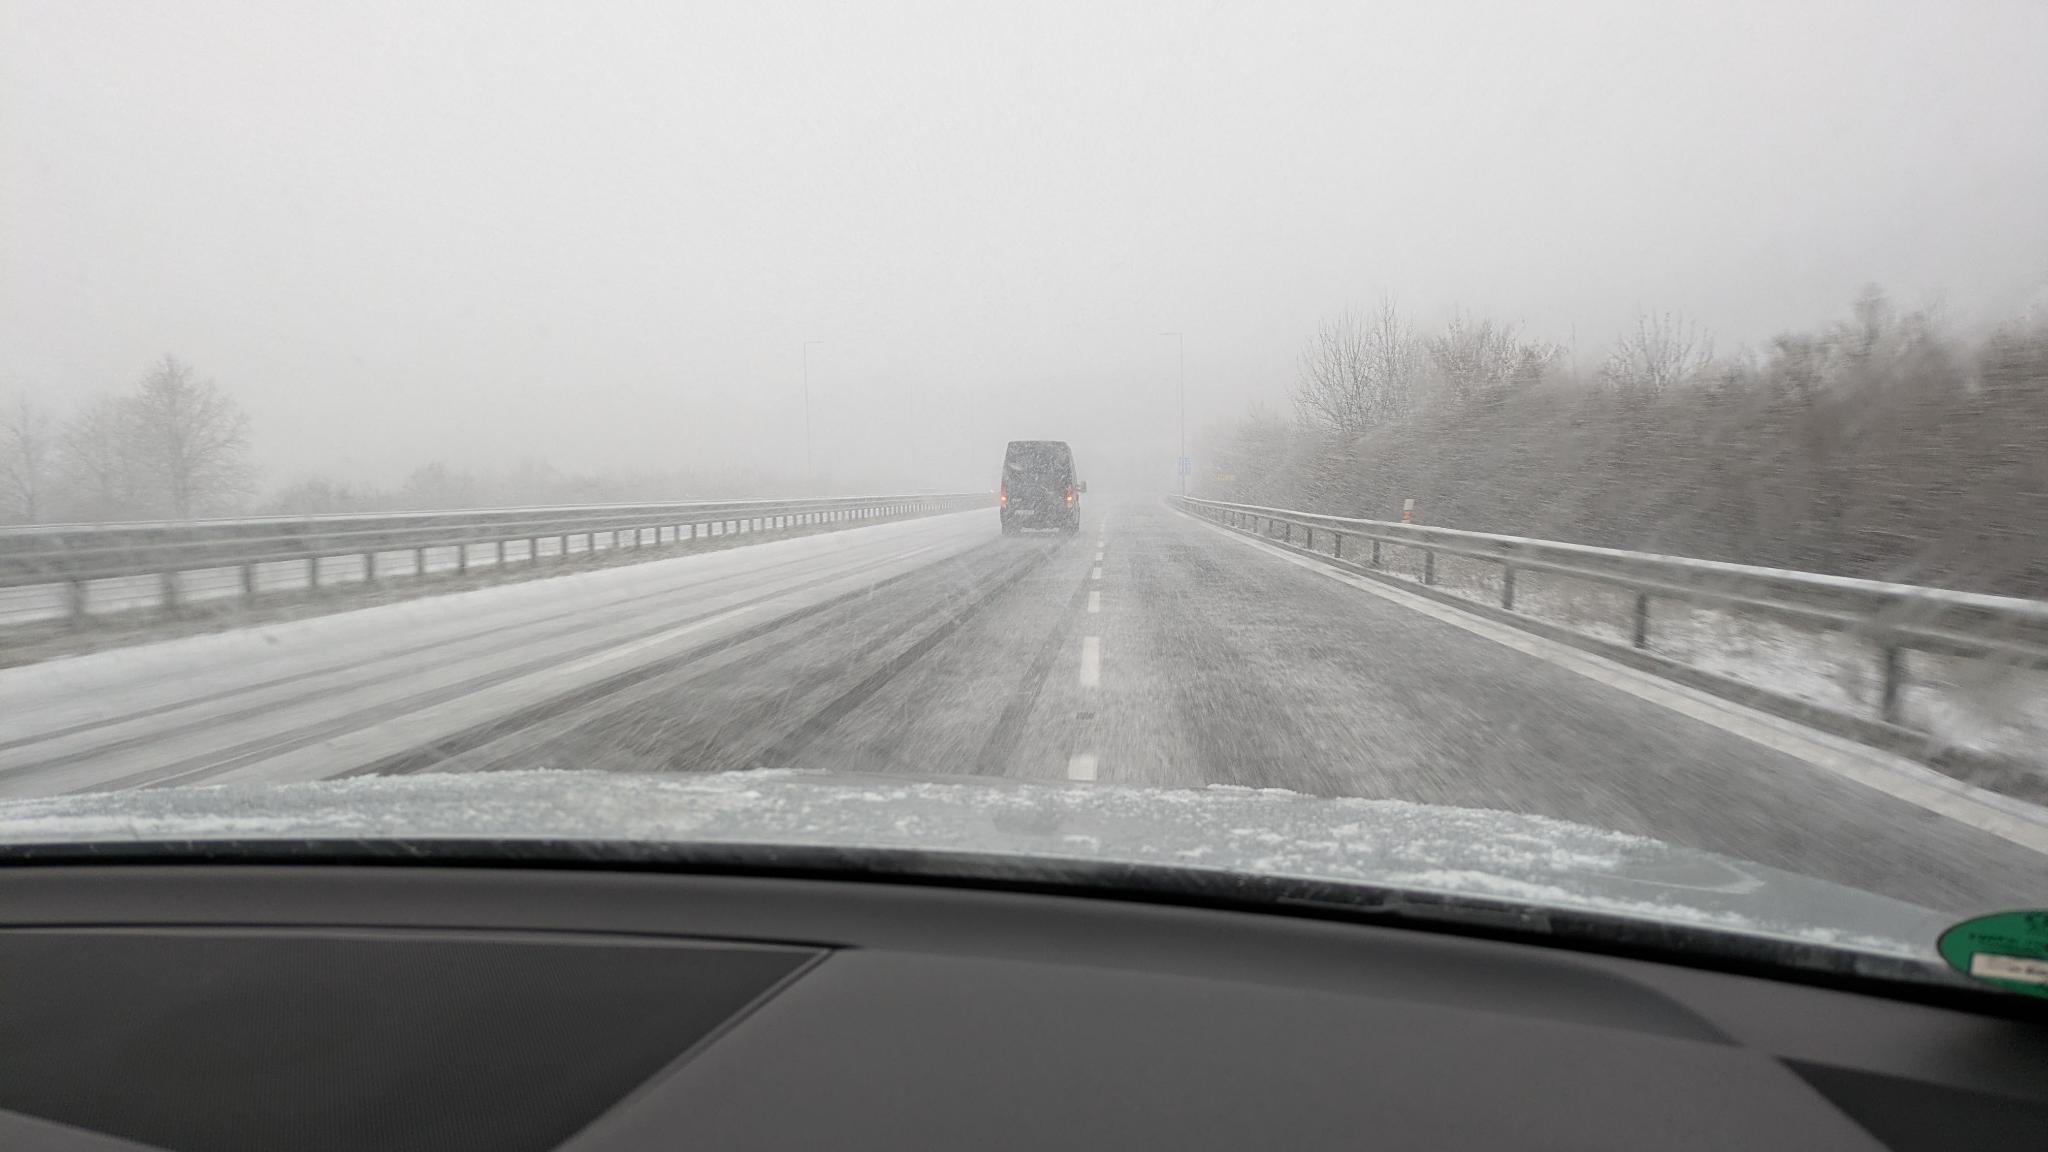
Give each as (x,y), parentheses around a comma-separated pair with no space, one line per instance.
(601,233)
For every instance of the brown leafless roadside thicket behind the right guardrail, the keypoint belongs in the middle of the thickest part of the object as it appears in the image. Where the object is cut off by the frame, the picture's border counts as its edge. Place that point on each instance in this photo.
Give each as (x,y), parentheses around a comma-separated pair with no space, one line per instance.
(1881,446)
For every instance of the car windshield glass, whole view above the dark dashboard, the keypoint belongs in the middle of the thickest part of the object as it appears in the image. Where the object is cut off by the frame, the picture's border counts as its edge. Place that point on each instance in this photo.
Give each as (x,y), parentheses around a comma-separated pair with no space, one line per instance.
(1572,456)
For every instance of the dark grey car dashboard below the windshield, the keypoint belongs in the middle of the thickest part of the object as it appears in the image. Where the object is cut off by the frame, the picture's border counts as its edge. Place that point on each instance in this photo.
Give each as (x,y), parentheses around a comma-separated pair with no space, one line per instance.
(204,1007)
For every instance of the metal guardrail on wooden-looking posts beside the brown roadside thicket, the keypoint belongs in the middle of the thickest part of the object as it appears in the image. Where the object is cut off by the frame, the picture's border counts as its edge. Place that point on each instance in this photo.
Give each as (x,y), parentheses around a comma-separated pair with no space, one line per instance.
(1893,618)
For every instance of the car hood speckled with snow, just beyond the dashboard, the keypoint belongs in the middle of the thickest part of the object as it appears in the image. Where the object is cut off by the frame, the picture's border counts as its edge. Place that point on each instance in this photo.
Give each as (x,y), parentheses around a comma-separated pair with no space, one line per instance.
(1273,833)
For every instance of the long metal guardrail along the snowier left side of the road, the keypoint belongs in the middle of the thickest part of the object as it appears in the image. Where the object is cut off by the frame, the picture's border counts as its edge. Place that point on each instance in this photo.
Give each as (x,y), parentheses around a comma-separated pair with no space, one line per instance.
(75,557)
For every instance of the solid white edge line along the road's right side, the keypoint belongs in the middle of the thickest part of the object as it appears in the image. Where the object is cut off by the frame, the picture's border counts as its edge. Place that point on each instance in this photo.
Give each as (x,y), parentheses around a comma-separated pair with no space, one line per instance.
(1893,776)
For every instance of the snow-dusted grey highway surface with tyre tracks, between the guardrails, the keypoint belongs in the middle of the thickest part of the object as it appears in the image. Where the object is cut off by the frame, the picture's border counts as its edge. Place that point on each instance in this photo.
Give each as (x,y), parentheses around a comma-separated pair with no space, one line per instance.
(1148,651)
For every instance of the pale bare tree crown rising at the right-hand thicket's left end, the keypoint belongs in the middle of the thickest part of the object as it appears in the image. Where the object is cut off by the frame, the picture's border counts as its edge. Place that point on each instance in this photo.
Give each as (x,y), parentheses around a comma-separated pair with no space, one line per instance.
(1359,372)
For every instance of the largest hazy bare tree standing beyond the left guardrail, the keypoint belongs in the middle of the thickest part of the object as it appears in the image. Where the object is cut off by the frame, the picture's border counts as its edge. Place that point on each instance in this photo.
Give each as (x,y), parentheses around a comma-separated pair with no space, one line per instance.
(191,440)
